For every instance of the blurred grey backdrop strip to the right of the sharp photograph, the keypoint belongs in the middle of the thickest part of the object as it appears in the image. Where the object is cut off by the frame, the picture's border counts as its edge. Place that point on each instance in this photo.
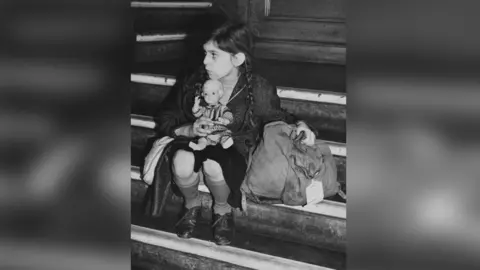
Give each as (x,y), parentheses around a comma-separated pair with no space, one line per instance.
(413,135)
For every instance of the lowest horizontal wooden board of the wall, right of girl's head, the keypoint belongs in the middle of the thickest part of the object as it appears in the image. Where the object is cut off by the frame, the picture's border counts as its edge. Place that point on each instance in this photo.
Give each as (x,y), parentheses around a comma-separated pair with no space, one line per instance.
(304,52)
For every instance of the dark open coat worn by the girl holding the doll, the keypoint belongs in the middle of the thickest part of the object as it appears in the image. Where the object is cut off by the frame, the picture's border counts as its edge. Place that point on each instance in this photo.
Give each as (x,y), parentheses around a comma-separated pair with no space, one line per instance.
(177,111)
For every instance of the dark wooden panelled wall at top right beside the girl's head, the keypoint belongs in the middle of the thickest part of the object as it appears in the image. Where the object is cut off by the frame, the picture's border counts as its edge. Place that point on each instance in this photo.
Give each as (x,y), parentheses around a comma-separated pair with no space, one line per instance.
(300,30)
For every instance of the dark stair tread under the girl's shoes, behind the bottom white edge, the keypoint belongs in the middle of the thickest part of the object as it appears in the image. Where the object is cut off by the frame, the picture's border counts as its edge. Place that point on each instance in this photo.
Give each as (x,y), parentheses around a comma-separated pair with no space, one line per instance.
(249,241)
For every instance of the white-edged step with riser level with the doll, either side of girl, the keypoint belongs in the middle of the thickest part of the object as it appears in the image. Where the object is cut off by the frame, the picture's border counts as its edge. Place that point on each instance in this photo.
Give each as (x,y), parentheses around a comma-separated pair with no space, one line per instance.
(324,110)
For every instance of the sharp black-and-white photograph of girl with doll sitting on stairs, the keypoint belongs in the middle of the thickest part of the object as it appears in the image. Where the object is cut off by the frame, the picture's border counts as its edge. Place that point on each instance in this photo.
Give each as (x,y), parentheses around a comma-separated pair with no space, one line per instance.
(238,129)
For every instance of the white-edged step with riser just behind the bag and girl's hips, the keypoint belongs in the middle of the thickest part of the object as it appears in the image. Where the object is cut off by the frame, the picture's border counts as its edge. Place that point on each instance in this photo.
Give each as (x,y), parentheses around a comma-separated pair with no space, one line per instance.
(142,139)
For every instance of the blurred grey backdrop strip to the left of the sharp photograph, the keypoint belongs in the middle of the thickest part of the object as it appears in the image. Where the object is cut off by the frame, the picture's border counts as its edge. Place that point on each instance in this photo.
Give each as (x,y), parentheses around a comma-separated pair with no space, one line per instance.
(63,135)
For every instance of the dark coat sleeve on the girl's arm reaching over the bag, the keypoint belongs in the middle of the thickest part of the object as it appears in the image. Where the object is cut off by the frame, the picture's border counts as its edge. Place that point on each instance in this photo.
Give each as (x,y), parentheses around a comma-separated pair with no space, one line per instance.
(268,107)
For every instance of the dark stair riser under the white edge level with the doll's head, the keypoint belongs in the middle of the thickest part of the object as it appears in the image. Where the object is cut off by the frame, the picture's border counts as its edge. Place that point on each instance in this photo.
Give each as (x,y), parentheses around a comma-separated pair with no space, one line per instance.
(146,100)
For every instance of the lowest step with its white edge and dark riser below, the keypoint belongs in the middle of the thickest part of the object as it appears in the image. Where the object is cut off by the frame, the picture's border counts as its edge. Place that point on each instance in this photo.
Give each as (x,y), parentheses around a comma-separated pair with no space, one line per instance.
(164,250)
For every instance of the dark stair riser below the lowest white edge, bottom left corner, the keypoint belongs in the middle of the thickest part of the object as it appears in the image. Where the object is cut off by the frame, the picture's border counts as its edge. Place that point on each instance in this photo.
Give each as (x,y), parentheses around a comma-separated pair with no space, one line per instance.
(154,257)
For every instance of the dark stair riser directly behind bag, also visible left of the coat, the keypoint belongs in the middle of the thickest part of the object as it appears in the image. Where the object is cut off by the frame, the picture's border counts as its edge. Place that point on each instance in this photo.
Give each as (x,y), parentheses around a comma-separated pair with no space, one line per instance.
(142,138)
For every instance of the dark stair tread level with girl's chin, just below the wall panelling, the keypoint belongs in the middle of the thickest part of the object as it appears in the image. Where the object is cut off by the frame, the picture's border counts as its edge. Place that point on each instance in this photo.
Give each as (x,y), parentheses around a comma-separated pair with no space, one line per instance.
(325,77)
